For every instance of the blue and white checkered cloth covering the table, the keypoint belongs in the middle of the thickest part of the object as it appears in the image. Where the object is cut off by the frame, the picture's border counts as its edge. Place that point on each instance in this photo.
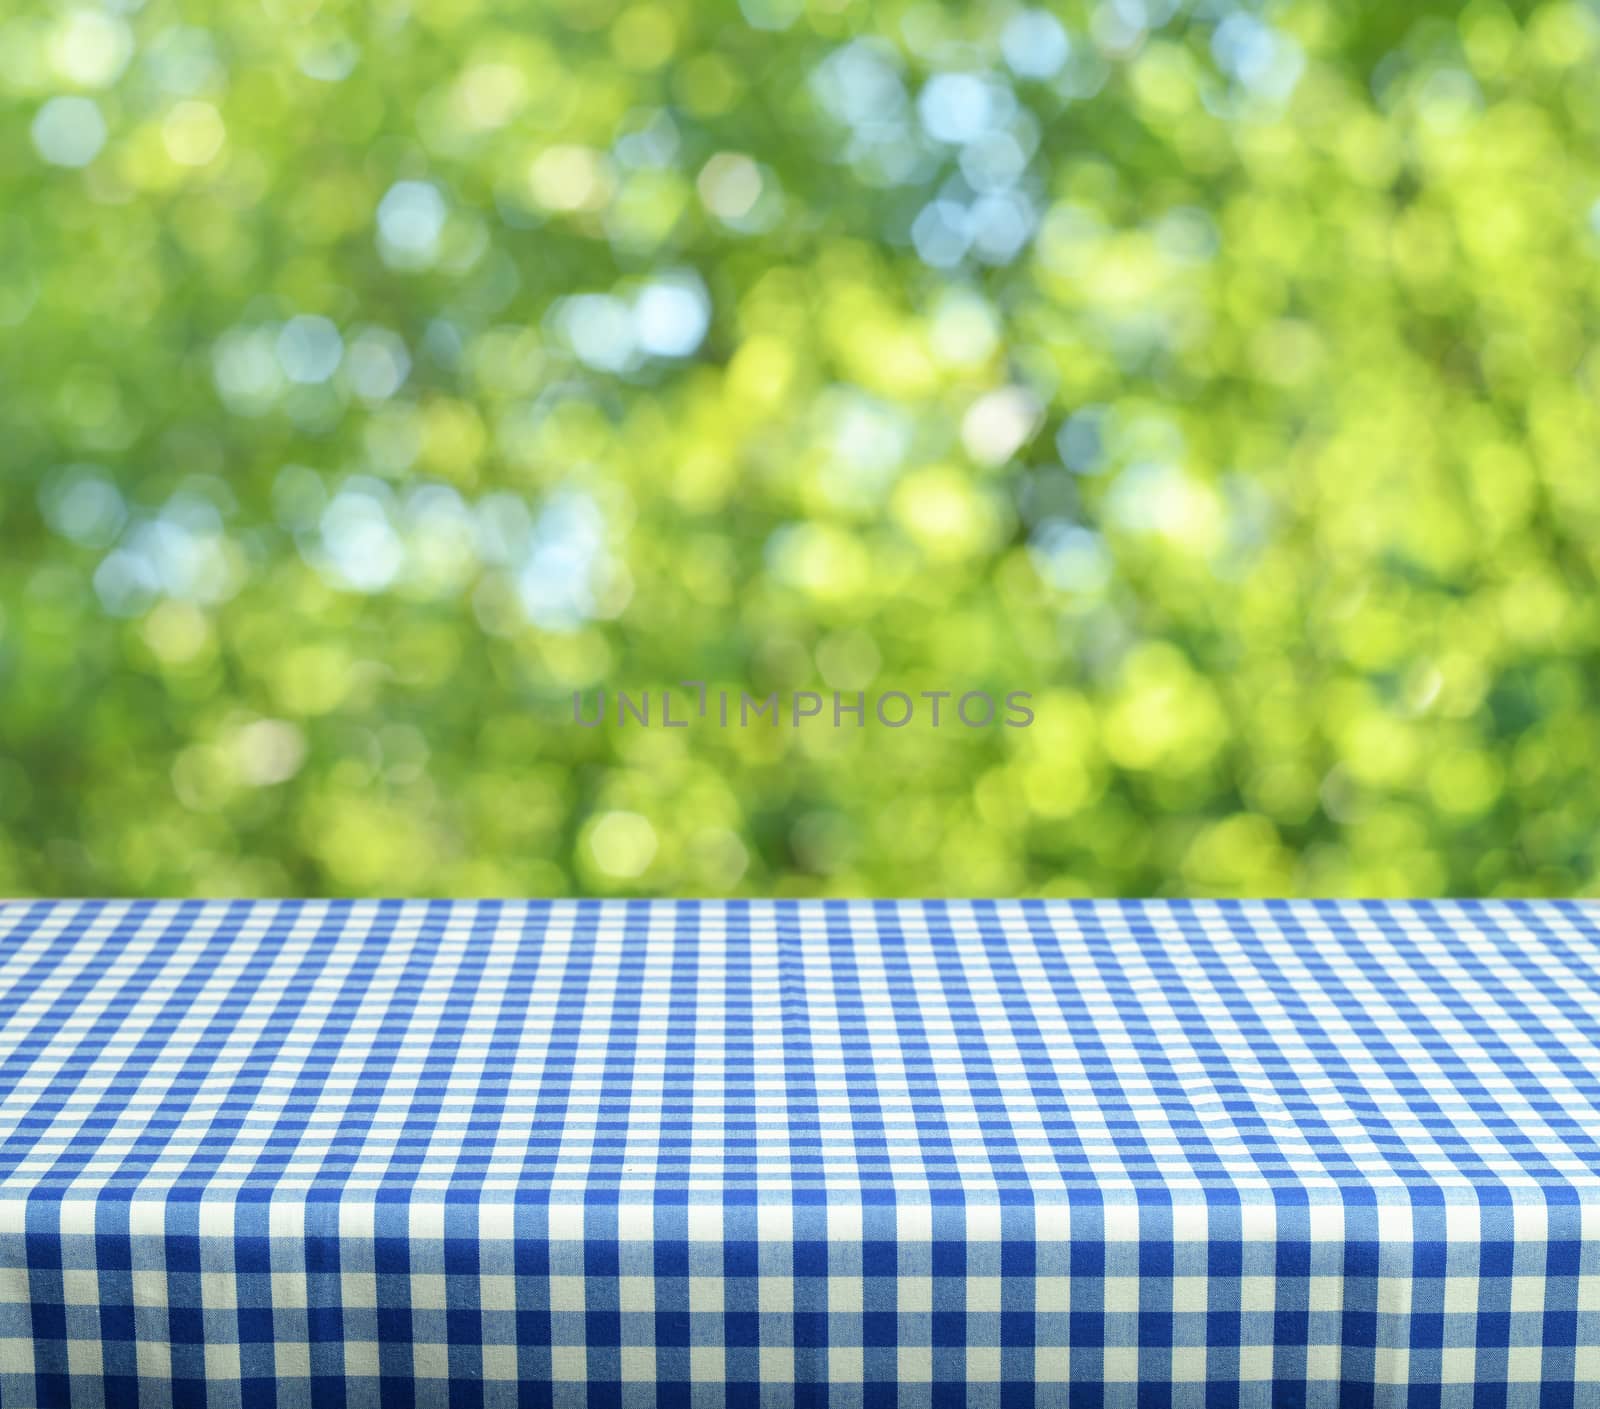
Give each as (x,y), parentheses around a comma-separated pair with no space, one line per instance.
(799,1154)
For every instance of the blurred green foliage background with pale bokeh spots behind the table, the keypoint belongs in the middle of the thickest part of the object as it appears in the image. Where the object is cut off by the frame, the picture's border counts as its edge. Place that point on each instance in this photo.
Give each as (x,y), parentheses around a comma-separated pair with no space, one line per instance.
(374,375)
